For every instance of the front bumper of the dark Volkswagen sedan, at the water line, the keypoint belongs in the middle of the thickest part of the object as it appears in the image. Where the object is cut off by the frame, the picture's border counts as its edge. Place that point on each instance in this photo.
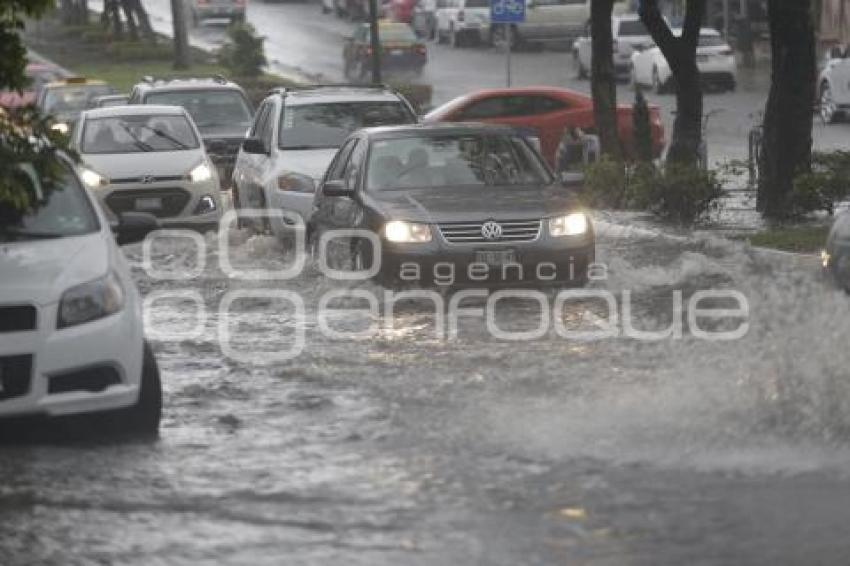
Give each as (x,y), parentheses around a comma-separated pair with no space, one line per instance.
(544,262)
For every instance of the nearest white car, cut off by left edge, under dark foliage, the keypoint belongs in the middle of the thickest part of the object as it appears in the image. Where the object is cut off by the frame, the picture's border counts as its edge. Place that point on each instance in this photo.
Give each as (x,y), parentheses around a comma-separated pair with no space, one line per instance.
(71,337)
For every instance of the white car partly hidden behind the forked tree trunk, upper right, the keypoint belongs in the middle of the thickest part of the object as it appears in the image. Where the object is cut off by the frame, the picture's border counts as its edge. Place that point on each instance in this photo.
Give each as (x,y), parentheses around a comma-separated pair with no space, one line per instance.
(715,59)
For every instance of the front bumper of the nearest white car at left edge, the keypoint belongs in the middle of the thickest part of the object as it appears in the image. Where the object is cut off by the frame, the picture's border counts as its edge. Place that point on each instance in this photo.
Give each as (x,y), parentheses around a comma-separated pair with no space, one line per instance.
(92,367)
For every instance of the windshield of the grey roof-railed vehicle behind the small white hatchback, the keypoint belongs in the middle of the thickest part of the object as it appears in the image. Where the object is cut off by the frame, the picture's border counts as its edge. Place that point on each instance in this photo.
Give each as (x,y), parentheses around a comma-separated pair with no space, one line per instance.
(208,108)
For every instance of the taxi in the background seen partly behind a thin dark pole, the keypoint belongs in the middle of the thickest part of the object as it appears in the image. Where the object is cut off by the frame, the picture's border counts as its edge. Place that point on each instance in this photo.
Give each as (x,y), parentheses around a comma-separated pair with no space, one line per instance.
(401,51)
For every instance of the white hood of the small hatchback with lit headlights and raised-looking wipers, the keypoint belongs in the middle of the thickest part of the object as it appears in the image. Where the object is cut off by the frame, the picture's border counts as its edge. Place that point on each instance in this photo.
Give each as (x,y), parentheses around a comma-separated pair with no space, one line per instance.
(160,163)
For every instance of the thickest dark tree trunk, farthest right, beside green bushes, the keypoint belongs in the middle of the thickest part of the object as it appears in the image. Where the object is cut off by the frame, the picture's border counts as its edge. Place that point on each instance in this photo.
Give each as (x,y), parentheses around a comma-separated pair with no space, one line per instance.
(787,141)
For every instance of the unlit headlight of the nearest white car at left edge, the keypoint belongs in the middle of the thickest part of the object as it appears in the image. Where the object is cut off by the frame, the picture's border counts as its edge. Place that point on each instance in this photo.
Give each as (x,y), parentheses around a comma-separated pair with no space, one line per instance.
(90,301)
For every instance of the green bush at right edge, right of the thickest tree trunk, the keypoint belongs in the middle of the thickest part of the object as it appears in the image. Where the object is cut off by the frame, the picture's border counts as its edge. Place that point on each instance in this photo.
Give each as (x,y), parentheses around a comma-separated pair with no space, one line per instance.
(827,183)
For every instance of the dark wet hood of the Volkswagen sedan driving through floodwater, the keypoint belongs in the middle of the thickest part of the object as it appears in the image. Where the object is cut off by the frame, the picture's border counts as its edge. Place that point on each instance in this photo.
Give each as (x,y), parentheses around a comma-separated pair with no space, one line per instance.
(472,204)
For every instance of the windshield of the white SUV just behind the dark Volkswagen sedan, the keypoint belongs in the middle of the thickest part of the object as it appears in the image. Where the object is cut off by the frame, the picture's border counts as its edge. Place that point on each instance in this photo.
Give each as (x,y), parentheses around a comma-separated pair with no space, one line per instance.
(318,126)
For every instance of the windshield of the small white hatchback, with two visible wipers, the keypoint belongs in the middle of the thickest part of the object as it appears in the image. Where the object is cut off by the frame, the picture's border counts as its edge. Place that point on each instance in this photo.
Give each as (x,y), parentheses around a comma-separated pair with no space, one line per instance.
(134,134)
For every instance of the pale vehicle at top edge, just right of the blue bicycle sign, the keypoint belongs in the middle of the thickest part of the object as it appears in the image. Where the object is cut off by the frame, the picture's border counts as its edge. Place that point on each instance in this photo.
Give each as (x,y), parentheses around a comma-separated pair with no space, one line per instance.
(554,20)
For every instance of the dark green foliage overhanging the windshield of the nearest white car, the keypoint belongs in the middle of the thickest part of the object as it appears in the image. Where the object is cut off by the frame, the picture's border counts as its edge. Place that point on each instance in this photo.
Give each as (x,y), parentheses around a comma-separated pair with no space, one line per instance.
(18,129)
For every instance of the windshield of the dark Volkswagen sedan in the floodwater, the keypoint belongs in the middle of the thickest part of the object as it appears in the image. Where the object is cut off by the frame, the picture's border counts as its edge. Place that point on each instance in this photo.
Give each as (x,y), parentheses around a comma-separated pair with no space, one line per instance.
(454,160)
